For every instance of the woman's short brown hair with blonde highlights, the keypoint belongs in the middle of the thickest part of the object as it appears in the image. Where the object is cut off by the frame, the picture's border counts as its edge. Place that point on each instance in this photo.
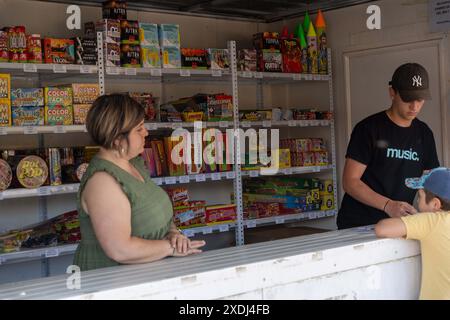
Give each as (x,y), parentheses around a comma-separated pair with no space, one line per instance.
(112,117)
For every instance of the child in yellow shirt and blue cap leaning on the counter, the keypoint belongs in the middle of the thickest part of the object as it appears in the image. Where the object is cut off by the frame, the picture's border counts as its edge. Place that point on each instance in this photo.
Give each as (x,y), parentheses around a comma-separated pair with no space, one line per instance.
(431,227)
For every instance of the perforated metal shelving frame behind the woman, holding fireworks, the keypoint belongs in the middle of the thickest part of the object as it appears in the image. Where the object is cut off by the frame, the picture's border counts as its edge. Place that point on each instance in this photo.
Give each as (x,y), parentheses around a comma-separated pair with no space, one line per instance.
(161,75)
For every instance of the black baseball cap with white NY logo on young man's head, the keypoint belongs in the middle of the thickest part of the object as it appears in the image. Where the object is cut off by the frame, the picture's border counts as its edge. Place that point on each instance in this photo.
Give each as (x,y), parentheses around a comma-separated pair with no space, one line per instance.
(411,82)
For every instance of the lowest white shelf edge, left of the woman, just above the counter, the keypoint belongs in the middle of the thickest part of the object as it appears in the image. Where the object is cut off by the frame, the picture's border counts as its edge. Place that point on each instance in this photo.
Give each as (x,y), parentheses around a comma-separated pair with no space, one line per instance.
(35,254)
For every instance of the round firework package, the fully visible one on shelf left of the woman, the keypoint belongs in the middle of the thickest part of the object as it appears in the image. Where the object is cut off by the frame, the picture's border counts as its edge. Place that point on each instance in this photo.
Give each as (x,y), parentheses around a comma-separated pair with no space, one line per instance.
(32,172)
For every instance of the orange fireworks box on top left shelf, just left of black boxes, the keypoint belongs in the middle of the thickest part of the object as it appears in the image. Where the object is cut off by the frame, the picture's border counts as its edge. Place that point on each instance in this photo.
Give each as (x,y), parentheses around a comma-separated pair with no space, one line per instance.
(59,51)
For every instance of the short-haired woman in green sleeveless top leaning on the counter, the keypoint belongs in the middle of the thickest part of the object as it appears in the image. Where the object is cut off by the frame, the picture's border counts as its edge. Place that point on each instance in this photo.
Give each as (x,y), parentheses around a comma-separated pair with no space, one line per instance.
(125,218)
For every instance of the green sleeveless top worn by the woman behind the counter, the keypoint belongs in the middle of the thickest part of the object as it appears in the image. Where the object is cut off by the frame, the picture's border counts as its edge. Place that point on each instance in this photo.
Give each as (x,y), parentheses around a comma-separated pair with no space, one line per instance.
(151,211)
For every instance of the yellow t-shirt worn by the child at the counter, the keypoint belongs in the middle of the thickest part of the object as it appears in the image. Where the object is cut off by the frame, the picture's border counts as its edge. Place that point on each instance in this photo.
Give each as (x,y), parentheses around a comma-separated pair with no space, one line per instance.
(433,232)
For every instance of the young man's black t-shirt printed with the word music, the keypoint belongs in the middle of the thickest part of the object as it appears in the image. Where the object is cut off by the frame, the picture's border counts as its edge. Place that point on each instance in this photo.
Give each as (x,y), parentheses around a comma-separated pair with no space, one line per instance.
(392,154)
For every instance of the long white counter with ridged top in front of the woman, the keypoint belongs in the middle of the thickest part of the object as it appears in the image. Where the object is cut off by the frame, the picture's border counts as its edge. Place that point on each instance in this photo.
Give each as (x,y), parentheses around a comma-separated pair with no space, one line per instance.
(347,264)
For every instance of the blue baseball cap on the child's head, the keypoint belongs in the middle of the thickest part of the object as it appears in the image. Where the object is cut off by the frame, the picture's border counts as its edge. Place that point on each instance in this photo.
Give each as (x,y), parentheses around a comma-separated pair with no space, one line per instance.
(437,181)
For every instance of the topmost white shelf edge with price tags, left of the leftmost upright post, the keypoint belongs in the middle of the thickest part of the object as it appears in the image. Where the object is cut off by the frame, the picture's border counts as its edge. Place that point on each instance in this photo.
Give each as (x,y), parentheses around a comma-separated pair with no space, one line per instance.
(30,68)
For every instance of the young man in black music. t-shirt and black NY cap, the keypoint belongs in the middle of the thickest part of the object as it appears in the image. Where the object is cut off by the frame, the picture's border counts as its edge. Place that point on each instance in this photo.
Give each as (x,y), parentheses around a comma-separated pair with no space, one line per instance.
(384,150)
